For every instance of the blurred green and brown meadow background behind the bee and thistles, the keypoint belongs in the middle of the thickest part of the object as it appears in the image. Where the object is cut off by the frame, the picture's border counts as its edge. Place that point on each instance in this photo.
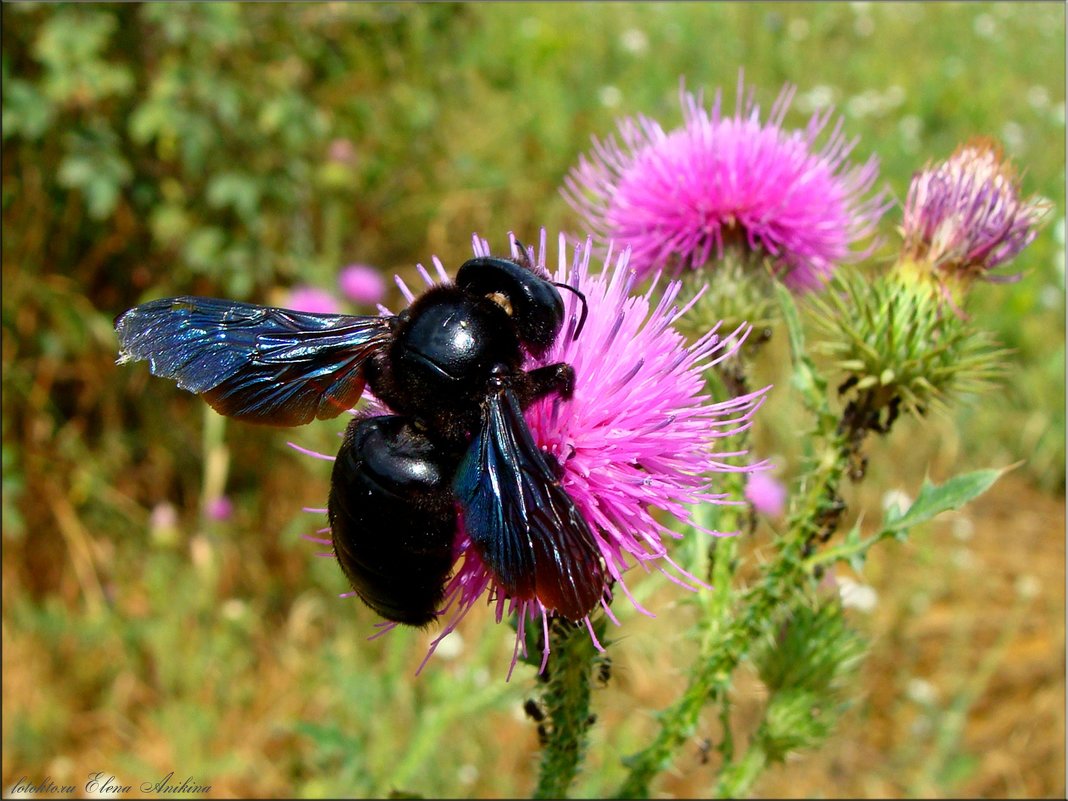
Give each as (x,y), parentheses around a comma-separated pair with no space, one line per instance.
(162,611)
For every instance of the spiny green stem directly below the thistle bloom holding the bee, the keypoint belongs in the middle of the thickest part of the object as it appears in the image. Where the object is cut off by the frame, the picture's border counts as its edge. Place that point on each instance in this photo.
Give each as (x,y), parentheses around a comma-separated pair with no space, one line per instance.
(567,702)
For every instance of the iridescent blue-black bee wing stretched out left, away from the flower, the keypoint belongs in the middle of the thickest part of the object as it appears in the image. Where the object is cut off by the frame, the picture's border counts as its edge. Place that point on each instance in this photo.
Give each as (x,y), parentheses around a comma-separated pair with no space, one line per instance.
(253,363)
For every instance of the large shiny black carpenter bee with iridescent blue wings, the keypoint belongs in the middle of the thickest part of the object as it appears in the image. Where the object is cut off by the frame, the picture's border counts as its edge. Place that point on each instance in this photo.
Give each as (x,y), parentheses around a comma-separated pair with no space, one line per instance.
(458,447)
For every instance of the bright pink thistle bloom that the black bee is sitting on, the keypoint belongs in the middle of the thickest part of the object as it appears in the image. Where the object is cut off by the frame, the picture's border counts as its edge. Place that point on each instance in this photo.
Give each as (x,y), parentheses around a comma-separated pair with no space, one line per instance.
(639,434)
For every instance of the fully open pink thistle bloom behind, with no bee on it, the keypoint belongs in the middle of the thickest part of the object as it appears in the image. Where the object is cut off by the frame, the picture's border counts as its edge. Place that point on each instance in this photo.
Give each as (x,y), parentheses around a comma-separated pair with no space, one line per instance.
(678,199)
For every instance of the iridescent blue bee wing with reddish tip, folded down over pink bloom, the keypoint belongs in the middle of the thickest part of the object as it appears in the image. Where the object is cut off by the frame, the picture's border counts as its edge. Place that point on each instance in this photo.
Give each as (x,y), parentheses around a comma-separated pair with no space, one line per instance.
(525,526)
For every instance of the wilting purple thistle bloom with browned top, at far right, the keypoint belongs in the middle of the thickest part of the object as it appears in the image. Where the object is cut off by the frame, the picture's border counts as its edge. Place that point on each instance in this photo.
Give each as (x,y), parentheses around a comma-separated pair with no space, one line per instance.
(965,217)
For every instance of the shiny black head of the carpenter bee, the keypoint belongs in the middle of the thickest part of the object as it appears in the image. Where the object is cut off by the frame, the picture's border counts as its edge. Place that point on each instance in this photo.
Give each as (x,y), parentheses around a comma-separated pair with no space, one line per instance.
(532,303)
